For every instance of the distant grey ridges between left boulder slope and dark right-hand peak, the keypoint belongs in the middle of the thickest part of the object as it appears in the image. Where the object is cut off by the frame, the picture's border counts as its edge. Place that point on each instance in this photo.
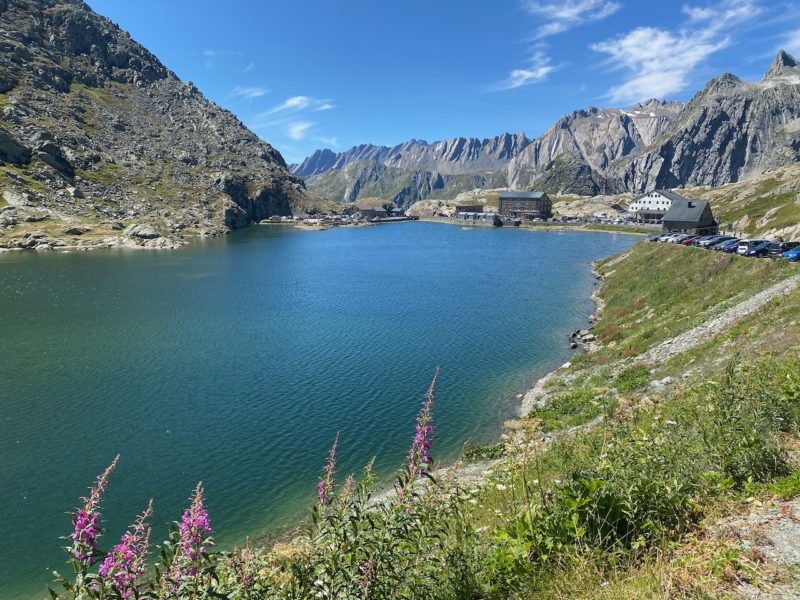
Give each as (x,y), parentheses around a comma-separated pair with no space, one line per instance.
(570,157)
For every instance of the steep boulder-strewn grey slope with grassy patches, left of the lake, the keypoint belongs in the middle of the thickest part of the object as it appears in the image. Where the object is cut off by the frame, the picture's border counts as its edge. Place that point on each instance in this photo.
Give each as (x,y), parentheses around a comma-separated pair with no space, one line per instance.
(101,144)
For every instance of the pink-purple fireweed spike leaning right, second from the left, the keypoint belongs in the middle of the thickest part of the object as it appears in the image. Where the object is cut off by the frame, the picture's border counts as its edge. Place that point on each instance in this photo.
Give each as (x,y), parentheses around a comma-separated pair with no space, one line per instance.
(126,562)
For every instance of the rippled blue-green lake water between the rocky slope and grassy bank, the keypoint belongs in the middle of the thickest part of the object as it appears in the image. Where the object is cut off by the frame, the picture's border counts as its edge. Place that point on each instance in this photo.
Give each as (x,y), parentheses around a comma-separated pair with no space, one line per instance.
(235,361)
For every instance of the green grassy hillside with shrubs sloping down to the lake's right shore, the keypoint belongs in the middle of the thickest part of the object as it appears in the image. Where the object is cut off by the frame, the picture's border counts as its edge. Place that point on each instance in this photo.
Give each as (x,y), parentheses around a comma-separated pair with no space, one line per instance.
(617,483)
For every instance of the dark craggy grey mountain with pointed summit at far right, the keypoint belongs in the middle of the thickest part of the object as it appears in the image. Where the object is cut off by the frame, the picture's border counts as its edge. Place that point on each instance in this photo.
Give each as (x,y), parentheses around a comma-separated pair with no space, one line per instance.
(731,131)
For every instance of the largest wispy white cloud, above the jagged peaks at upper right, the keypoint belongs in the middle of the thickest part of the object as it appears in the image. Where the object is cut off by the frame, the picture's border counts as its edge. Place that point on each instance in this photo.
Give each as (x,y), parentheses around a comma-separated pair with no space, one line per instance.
(660,62)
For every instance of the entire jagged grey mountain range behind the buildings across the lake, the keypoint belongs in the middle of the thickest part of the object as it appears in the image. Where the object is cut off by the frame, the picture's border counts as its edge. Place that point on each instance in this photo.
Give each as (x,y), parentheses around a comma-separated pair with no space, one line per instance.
(731,131)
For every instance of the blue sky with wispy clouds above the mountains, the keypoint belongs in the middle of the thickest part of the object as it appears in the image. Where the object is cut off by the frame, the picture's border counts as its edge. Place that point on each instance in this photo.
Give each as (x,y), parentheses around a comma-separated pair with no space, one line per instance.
(322,73)
